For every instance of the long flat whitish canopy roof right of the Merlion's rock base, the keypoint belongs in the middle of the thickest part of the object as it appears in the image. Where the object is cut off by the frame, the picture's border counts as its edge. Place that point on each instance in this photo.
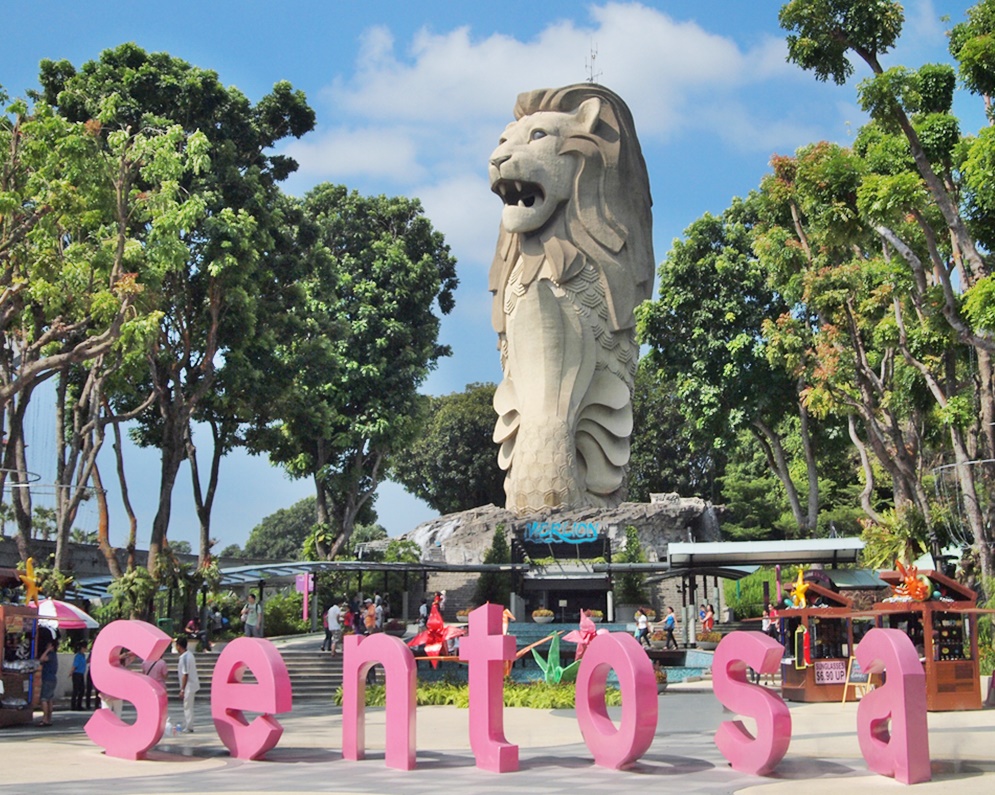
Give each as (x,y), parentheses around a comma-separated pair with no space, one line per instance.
(742,553)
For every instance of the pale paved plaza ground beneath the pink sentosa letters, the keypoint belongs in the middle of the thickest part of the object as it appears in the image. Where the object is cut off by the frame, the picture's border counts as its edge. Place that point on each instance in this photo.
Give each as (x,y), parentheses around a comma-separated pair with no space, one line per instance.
(823,758)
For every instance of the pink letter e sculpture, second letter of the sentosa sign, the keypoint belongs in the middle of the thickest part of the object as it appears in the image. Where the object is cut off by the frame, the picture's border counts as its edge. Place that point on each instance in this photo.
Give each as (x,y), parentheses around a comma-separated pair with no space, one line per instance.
(229,697)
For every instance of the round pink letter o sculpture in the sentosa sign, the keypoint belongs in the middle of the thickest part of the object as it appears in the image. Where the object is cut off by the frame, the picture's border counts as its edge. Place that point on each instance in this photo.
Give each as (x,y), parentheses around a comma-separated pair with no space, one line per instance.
(611,747)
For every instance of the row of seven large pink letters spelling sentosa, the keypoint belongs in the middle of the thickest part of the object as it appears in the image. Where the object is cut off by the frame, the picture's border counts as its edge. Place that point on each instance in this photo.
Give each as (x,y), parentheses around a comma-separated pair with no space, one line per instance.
(891,720)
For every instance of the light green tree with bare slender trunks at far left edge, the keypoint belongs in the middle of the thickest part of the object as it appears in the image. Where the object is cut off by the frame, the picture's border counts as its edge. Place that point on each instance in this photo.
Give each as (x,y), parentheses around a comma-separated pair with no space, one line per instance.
(71,197)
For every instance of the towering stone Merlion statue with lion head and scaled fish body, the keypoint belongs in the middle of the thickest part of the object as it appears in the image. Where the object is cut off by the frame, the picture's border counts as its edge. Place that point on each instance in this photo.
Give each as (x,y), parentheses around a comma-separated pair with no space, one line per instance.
(574,258)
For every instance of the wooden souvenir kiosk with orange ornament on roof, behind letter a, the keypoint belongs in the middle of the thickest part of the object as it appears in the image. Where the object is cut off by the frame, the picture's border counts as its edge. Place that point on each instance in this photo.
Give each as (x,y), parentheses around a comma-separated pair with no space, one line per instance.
(940,617)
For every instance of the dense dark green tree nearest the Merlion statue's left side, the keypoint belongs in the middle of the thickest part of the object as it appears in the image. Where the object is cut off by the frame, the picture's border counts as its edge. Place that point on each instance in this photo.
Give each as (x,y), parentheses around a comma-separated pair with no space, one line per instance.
(368,336)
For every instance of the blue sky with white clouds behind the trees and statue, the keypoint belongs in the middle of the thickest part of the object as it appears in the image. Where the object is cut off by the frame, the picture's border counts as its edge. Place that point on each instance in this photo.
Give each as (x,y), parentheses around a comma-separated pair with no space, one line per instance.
(410,100)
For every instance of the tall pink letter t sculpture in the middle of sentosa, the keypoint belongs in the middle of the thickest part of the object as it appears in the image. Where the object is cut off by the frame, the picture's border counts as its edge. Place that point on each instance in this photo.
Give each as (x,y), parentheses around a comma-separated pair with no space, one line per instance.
(485,649)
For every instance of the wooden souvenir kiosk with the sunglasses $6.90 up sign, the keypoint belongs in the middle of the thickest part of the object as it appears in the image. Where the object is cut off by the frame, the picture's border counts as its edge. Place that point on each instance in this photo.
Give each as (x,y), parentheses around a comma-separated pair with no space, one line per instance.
(818,641)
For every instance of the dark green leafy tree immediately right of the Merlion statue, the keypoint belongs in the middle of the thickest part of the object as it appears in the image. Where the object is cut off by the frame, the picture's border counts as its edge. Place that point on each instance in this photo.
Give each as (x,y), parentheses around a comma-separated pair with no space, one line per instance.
(705,336)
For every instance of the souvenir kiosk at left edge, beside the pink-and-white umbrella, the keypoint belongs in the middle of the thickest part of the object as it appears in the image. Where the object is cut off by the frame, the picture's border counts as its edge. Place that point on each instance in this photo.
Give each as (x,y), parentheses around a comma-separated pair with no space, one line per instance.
(21,673)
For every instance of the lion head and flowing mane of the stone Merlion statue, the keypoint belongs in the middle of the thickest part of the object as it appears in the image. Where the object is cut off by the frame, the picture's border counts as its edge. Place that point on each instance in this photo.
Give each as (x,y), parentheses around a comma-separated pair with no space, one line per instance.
(604,217)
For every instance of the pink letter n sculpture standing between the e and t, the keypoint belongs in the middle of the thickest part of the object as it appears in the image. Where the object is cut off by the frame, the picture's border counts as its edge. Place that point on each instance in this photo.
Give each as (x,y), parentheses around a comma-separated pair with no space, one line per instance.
(358,656)
